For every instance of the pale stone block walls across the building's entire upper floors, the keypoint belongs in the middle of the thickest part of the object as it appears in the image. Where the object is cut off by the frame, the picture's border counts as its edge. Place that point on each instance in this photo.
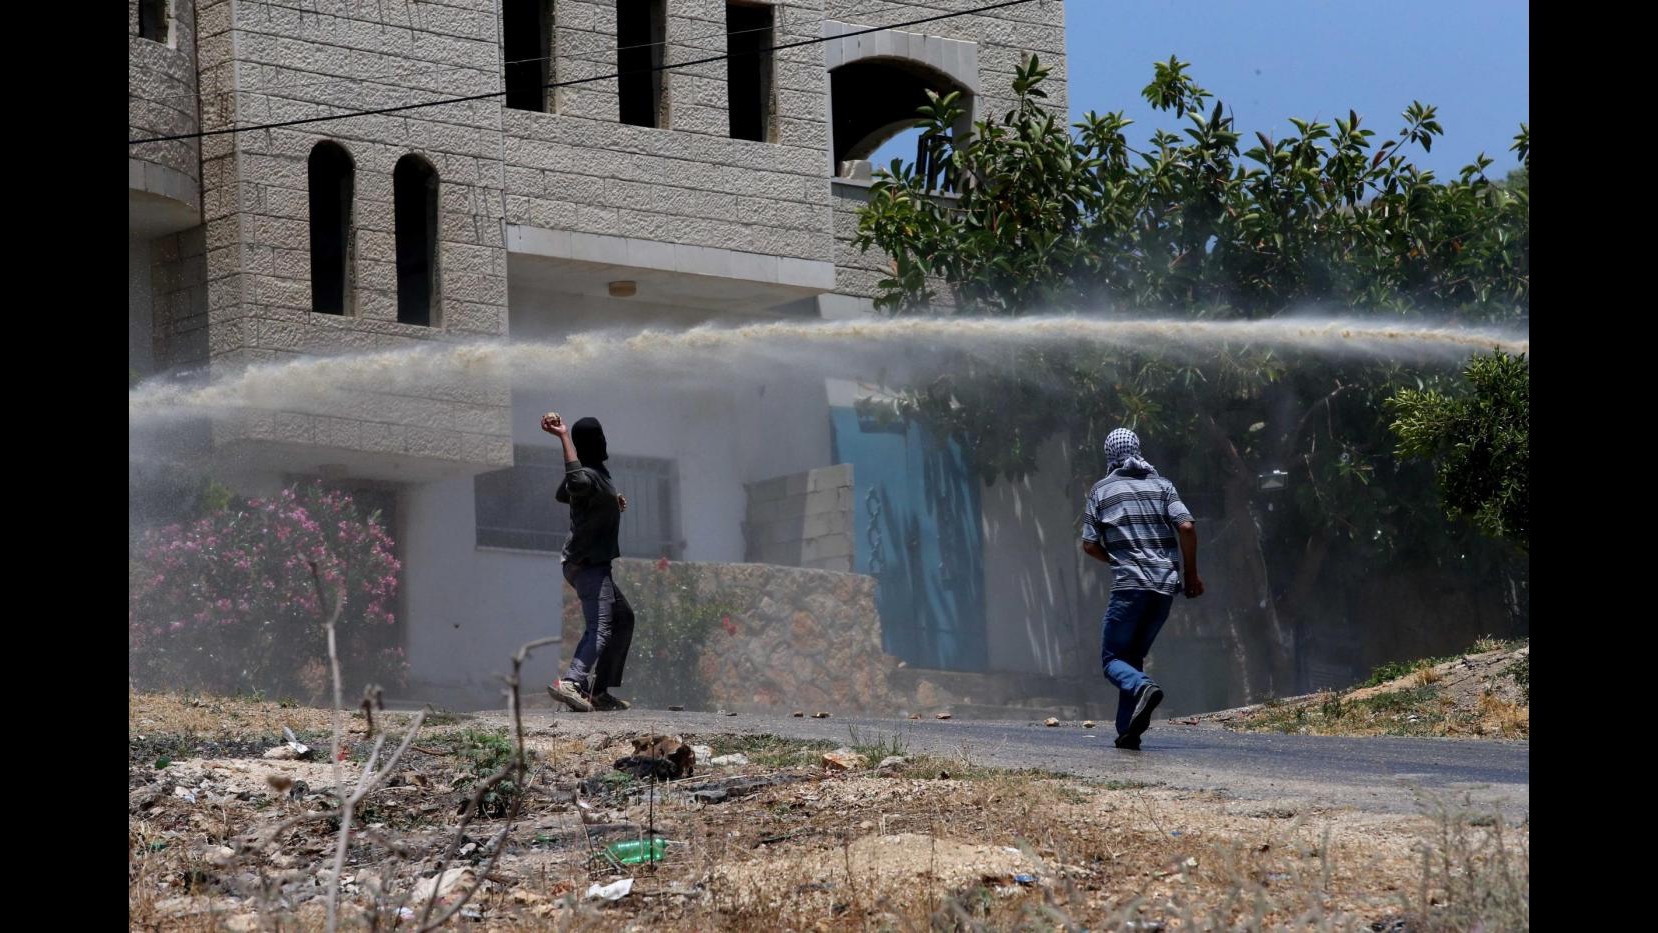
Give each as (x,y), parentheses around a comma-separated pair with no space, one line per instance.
(241,292)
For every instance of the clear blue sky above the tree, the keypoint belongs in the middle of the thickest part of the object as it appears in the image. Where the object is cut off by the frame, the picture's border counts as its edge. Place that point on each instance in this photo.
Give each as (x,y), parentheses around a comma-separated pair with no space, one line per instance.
(1312,59)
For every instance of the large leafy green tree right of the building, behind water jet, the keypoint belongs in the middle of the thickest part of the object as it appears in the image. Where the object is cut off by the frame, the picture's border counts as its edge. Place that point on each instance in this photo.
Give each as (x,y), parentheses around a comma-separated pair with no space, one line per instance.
(1029,216)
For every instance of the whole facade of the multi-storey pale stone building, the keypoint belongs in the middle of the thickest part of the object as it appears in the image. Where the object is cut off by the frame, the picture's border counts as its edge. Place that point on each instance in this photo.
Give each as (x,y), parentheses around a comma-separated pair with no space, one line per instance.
(720,191)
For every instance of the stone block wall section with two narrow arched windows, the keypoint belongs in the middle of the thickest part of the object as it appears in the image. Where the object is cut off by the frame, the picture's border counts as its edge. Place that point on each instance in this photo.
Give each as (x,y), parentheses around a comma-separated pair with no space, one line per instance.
(266,64)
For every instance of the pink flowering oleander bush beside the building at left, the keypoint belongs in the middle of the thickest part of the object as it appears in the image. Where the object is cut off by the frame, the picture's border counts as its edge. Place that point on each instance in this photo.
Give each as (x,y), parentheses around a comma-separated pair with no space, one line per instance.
(228,602)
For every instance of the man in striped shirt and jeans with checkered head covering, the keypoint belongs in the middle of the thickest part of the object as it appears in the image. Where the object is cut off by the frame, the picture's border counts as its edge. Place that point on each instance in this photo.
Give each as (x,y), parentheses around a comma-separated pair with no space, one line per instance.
(1137,523)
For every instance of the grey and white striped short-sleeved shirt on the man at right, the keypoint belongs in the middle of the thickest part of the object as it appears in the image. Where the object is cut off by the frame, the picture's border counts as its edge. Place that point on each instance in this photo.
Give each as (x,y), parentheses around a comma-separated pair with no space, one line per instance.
(1133,516)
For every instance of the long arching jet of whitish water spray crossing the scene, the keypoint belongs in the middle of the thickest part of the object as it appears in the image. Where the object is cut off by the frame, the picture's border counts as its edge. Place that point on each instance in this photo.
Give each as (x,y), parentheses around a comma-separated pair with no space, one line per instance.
(853,349)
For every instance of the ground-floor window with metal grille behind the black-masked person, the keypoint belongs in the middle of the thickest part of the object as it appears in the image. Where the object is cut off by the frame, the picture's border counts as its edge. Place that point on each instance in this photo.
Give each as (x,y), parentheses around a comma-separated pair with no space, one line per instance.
(516,508)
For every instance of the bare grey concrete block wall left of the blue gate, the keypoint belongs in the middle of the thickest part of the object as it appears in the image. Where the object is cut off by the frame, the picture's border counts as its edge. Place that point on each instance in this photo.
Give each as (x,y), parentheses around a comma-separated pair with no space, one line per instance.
(803,521)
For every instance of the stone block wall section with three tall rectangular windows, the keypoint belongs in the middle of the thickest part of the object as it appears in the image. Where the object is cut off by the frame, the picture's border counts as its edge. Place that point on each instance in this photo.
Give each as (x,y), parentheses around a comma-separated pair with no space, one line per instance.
(689,183)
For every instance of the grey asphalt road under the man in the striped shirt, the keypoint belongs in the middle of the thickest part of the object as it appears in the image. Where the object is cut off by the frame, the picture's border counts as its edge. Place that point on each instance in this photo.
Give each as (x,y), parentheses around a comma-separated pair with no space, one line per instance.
(1304,773)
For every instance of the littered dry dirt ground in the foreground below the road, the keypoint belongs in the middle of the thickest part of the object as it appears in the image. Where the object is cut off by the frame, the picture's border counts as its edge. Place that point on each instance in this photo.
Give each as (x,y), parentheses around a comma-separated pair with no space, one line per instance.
(223,838)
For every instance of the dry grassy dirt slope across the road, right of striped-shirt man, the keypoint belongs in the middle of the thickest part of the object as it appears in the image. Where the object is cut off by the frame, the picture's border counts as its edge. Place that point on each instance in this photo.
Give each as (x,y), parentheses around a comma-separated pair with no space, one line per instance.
(1485,694)
